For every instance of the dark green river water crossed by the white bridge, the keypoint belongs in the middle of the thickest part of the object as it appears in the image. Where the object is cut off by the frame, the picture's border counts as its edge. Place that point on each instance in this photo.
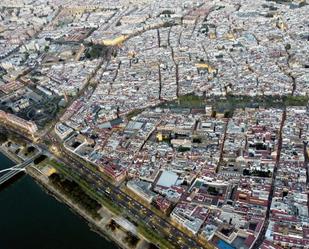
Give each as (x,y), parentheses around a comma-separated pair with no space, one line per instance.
(32,219)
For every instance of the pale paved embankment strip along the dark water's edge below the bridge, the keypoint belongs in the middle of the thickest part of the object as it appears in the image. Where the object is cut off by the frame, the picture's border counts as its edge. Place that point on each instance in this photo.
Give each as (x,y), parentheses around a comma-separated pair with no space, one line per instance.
(98,226)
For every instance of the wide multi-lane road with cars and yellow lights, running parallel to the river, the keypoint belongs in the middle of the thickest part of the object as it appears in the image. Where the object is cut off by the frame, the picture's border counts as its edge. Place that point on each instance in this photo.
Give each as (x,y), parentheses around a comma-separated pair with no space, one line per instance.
(133,208)
